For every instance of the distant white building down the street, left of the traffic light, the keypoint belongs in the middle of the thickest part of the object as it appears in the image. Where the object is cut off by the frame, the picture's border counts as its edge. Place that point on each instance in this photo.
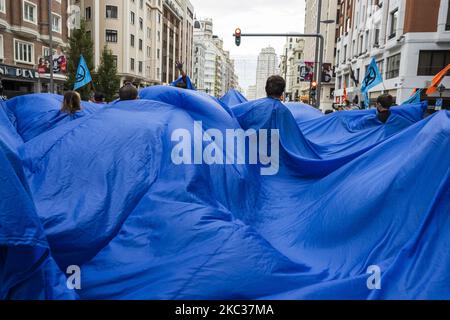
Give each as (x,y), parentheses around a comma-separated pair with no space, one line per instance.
(218,75)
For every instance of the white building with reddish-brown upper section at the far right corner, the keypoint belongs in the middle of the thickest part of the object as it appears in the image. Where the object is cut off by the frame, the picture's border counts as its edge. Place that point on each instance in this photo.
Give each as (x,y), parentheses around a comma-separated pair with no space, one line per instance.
(409,49)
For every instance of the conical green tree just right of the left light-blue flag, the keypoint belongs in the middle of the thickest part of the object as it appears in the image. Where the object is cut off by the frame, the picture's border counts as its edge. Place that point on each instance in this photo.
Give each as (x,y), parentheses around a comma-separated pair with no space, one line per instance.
(106,80)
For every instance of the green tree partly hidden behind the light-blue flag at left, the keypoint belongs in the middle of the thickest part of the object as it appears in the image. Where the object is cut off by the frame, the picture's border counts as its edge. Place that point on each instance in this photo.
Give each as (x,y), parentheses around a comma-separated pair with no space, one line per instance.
(80,43)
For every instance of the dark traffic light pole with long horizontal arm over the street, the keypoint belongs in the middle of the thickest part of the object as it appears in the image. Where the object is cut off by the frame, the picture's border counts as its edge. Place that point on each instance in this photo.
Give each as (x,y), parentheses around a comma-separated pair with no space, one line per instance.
(300,35)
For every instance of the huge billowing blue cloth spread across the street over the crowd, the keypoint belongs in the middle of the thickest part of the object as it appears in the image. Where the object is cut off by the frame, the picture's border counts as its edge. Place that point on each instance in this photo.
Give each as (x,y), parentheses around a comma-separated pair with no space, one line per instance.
(351,193)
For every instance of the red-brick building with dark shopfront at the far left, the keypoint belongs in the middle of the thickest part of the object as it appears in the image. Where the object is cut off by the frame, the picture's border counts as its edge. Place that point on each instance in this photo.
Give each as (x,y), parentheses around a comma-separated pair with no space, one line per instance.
(24,45)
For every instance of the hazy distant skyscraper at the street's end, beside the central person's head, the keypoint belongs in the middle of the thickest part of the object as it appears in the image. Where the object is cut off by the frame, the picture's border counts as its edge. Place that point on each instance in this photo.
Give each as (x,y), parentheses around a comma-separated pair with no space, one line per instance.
(267,66)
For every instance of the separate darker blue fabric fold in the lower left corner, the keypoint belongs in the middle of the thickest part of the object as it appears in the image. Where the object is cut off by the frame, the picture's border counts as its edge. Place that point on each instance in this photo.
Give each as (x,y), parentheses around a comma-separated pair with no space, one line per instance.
(27,270)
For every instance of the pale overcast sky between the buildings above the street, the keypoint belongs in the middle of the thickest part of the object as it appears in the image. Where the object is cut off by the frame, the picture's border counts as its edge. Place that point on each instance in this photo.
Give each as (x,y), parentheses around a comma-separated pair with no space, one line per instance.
(251,16)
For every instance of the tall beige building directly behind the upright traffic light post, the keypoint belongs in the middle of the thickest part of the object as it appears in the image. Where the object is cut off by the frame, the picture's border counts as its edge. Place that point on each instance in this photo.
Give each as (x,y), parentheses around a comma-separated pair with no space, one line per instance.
(328,31)
